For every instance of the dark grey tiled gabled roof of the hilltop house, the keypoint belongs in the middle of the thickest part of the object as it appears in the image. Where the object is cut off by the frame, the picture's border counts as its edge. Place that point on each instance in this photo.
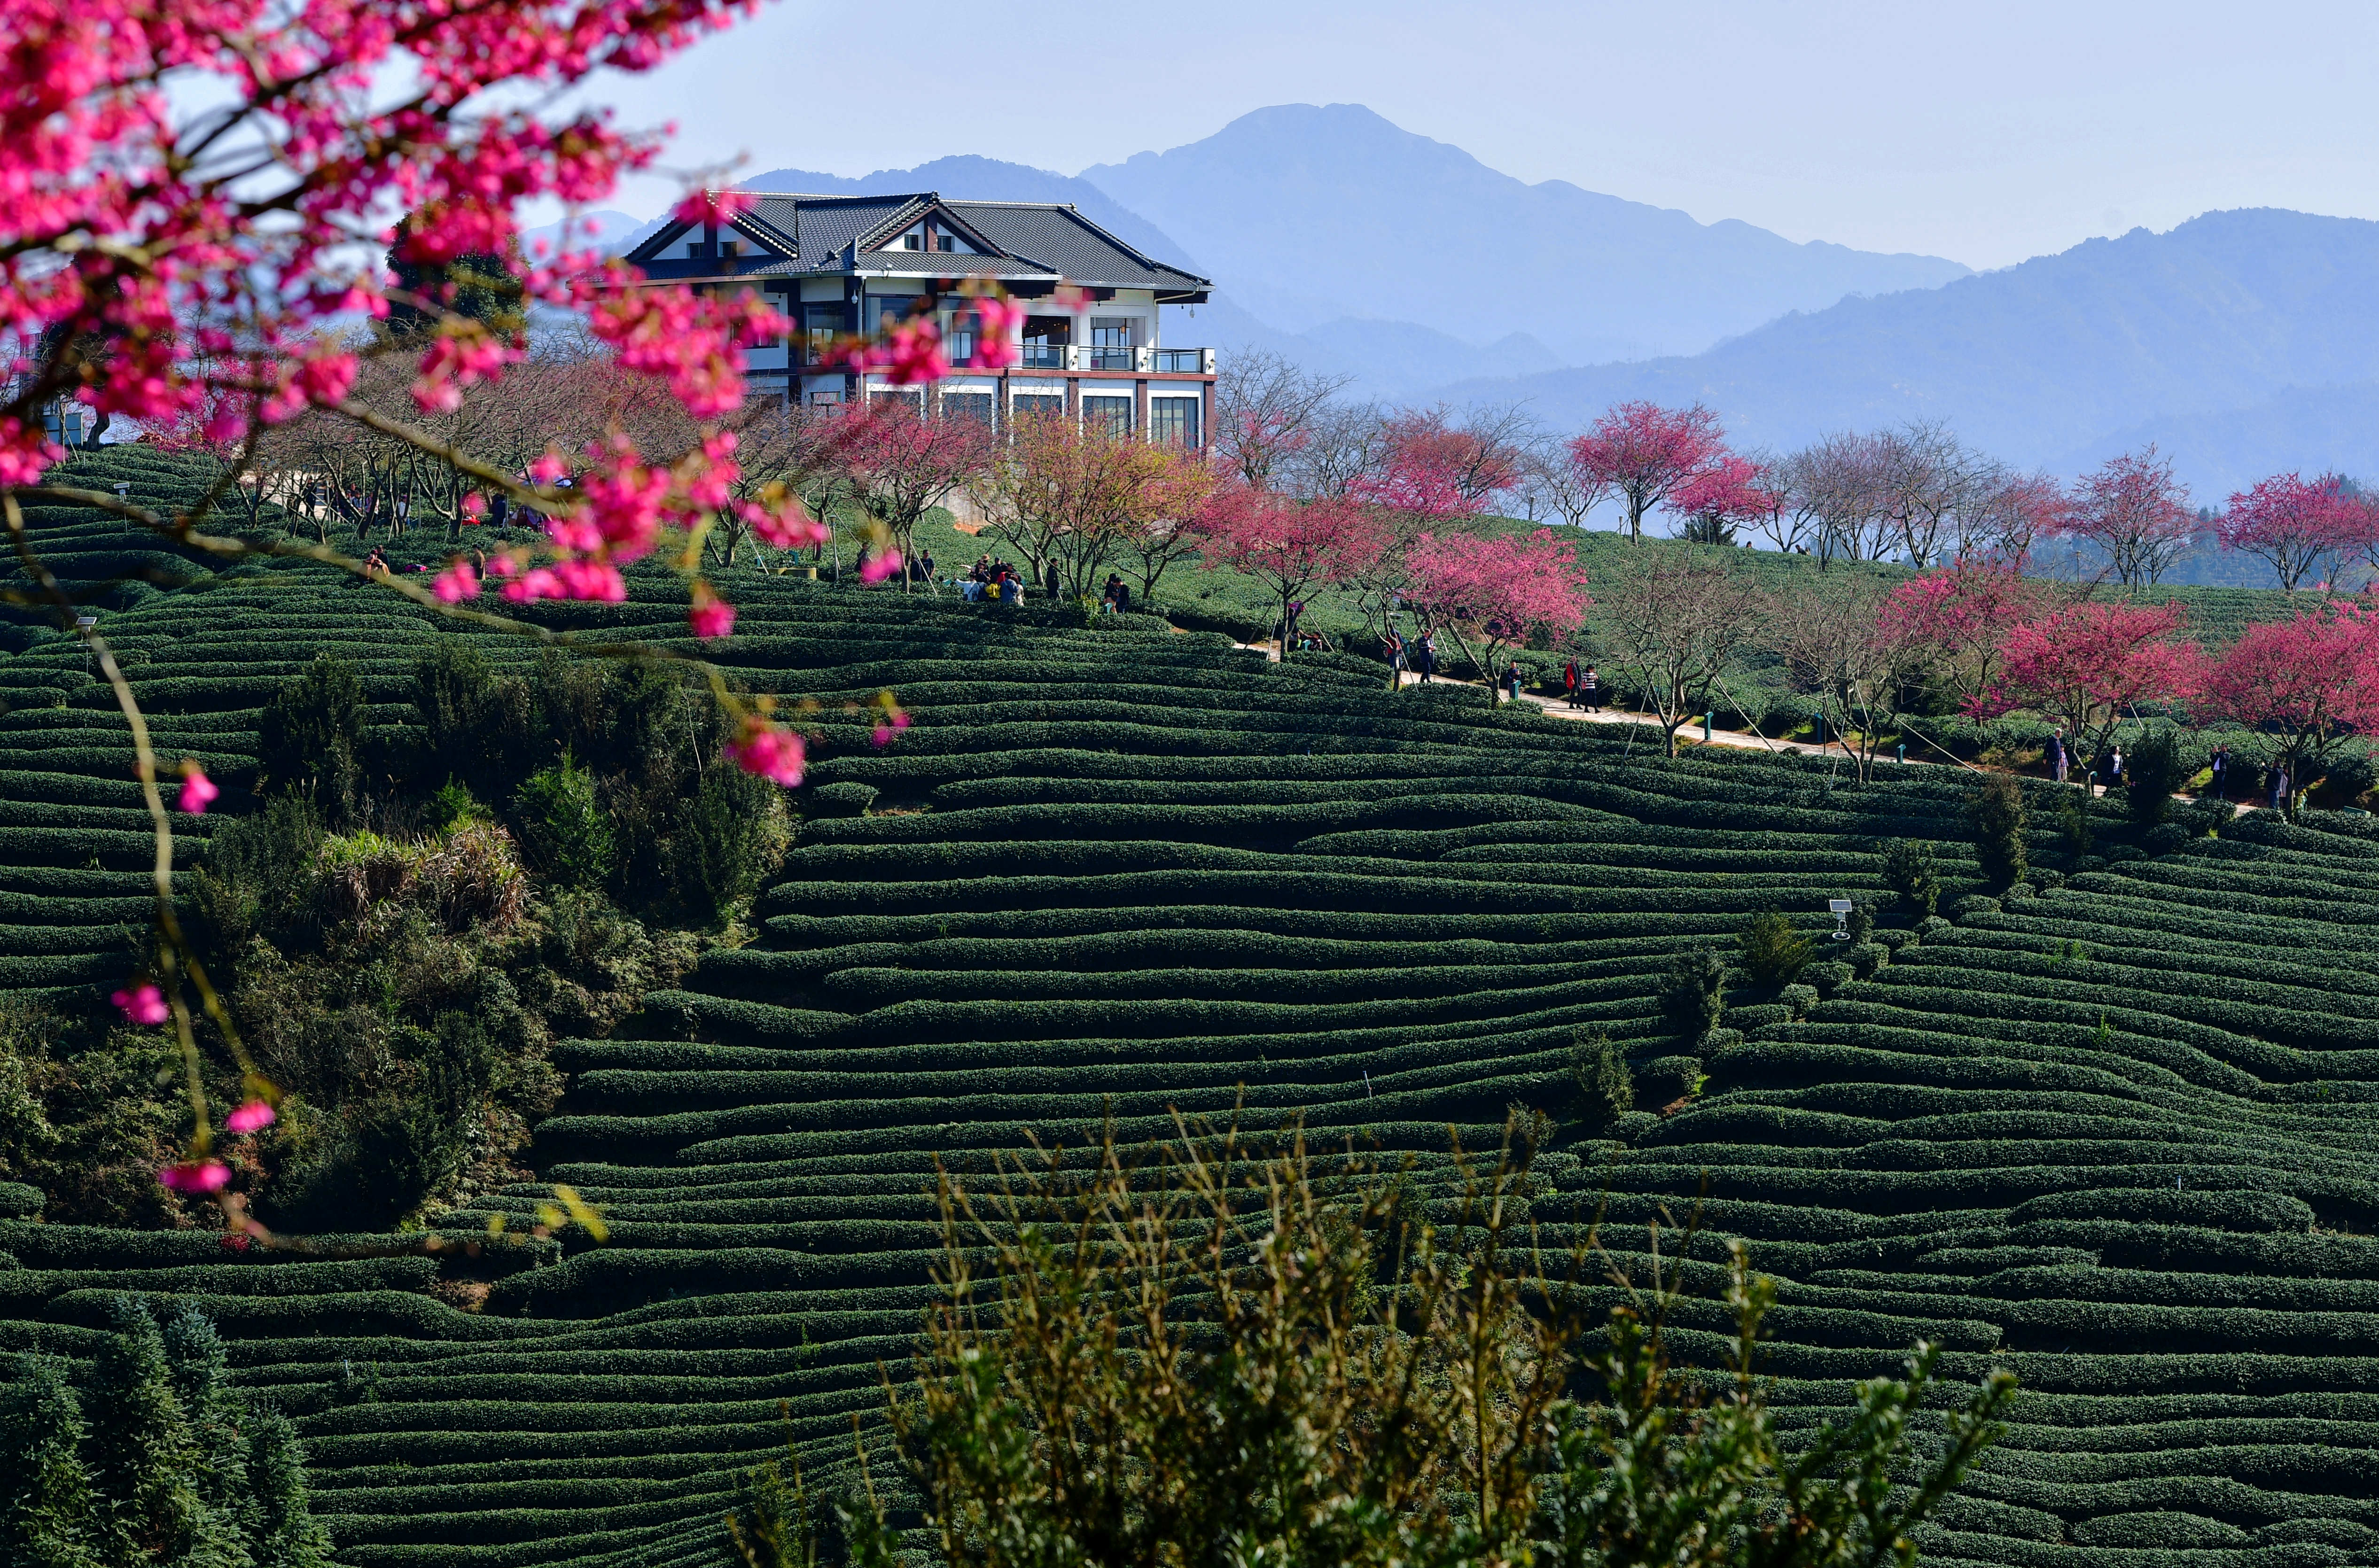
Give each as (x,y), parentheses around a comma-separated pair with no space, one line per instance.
(843,234)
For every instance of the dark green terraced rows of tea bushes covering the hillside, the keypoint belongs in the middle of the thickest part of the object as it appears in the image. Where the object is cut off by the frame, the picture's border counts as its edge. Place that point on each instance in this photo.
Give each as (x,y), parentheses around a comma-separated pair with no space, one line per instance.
(2111,1134)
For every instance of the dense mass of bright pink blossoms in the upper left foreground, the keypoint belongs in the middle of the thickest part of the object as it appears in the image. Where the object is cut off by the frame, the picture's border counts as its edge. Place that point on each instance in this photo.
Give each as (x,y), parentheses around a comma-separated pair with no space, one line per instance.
(89,142)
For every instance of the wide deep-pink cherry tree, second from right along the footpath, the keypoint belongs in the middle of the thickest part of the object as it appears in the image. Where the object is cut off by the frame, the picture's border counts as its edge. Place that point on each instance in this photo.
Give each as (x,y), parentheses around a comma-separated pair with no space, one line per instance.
(2088,665)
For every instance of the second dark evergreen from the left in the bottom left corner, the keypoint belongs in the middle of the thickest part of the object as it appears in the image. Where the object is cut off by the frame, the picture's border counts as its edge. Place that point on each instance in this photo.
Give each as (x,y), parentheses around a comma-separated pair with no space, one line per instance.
(146,1457)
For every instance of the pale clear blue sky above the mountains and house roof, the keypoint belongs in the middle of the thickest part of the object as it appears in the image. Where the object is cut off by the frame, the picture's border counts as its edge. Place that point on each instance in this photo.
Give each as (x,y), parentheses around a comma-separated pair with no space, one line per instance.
(1983,134)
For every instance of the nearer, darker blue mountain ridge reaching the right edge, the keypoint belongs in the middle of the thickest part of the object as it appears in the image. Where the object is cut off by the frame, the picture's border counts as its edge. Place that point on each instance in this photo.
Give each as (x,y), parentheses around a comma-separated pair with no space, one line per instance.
(2204,339)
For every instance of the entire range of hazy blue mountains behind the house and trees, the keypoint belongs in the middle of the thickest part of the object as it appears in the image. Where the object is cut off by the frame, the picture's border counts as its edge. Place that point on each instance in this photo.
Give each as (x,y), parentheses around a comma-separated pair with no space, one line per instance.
(2240,341)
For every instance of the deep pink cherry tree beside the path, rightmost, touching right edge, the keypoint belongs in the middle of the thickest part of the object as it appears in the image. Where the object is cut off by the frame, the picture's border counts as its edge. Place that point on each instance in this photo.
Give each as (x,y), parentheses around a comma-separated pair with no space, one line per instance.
(2306,682)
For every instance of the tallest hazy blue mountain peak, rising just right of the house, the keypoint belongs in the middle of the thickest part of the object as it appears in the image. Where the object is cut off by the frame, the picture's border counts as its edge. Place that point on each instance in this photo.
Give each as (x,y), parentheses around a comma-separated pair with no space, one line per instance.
(1312,213)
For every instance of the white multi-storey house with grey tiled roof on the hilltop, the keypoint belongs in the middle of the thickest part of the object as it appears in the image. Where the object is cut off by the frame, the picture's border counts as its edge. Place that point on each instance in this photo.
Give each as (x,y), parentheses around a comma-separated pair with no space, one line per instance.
(853,263)
